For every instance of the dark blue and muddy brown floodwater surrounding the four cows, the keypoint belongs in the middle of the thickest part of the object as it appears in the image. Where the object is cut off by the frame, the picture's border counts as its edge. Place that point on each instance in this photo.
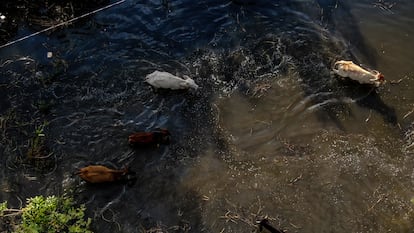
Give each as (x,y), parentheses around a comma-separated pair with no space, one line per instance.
(271,133)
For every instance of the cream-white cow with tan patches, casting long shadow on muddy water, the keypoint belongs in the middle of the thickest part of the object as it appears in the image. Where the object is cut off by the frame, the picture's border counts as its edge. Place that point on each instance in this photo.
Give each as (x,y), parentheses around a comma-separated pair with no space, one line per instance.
(357,73)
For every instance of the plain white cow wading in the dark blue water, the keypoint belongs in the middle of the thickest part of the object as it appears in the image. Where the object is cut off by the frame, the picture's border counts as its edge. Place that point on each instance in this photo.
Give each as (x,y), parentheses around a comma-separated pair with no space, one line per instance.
(159,79)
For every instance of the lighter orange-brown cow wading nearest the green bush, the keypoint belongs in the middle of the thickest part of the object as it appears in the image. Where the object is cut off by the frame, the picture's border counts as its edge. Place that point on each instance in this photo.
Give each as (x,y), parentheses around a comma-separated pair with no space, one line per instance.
(101,174)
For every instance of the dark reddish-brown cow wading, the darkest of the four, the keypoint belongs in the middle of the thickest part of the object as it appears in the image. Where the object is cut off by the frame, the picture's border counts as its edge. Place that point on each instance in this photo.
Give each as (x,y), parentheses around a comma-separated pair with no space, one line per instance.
(159,136)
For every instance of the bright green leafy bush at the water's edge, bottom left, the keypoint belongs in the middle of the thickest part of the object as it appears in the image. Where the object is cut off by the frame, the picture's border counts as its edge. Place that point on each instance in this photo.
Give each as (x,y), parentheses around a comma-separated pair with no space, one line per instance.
(51,214)
